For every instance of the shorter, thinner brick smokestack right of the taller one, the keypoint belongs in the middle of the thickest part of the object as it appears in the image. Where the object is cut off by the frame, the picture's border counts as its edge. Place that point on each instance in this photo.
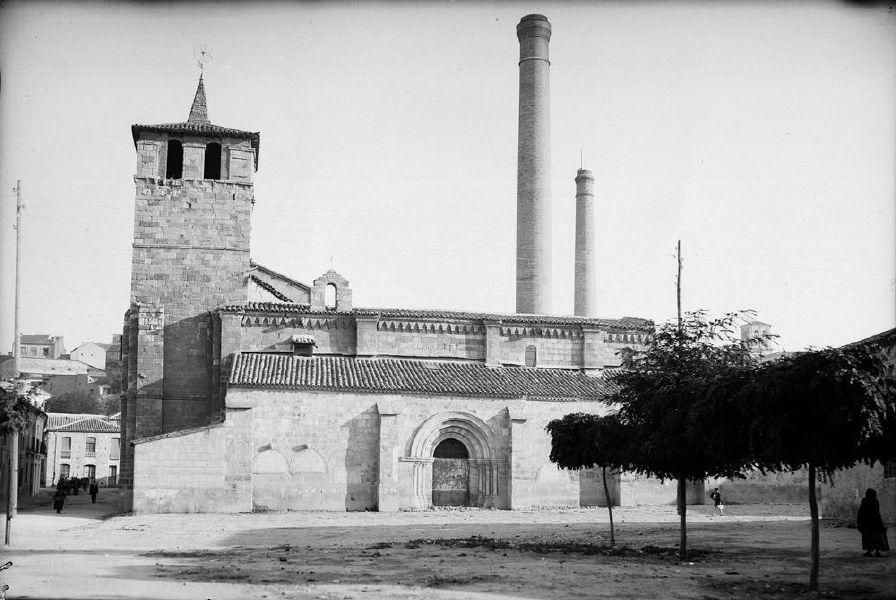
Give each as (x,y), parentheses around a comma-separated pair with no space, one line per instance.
(585,302)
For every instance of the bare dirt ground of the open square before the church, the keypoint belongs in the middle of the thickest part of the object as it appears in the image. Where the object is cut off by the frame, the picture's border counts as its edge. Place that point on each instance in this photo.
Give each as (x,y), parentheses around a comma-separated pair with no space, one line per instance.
(757,552)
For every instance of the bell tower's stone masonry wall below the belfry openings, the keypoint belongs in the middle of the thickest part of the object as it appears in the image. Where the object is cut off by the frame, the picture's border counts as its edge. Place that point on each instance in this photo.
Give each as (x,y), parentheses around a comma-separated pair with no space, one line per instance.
(191,255)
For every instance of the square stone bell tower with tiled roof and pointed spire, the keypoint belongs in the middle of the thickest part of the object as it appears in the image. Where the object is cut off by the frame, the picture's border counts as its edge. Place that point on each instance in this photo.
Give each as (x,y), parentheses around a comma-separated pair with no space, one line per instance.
(194,198)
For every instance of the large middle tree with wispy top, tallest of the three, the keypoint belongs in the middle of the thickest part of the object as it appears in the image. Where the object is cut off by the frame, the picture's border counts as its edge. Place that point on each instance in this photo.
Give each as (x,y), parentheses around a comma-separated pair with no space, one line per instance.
(677,397)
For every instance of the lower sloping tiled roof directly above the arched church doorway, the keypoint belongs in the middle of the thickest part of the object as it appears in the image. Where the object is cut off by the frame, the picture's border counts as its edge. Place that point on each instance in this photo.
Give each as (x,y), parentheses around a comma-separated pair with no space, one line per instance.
(343,374)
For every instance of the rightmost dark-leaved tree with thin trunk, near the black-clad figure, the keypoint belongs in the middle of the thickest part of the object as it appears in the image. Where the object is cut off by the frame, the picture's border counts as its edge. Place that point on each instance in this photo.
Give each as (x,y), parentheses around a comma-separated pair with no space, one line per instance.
(823,410)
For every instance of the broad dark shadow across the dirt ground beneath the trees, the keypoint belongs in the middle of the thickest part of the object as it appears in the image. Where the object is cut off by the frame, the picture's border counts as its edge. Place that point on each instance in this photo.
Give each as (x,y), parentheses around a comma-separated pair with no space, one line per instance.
(733,560)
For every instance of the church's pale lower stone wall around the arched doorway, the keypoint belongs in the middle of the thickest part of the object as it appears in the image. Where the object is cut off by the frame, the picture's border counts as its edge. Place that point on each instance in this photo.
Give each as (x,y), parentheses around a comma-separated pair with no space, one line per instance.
(315,450)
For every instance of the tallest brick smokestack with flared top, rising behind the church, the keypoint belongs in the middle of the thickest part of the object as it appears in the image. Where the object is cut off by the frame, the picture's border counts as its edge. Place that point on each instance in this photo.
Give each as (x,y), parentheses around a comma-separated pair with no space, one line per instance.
(533,175)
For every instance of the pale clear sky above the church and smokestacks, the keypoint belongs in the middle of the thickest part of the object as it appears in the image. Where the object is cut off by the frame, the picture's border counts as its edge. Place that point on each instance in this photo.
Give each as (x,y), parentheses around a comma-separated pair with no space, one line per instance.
(763,136)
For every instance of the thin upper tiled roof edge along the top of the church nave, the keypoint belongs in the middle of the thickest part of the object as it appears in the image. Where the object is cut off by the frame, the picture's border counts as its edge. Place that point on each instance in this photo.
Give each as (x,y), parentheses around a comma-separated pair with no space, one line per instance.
(627,323)
